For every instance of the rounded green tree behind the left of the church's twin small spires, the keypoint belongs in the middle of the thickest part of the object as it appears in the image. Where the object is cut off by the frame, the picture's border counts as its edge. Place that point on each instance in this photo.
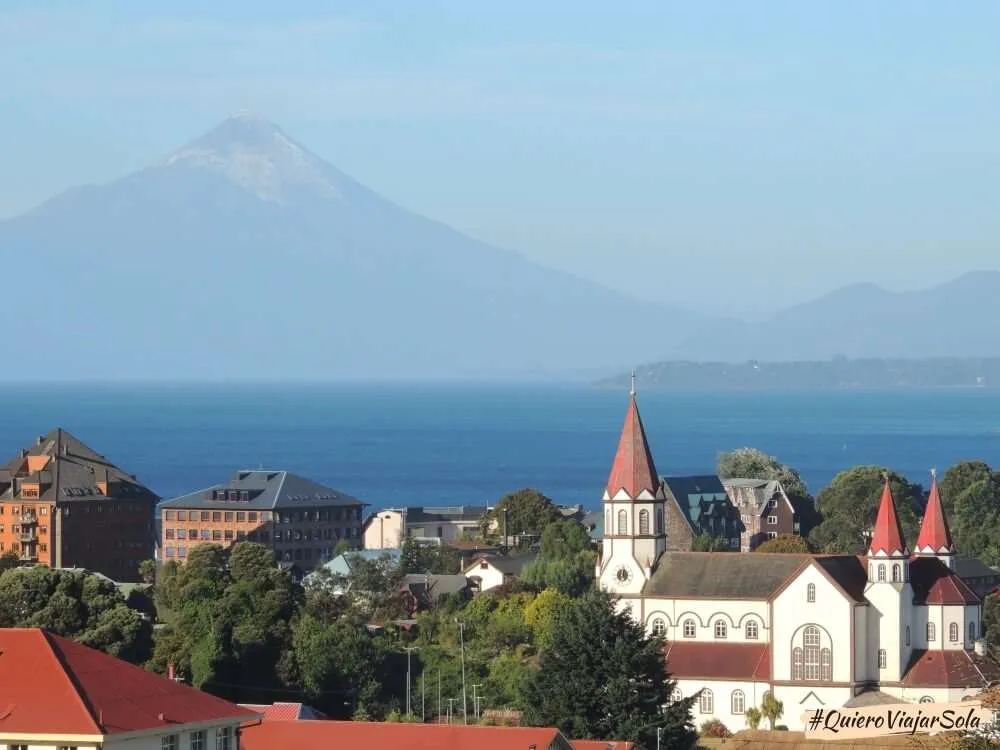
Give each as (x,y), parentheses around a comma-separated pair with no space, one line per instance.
(850,503)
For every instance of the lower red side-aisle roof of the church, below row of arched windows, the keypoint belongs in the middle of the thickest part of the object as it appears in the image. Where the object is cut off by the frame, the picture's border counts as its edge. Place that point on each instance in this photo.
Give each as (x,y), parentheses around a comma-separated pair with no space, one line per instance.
(718,661)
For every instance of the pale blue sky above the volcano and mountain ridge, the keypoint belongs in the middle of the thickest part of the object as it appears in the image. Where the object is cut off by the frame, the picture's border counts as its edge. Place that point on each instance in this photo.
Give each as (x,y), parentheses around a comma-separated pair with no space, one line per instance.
(733,156)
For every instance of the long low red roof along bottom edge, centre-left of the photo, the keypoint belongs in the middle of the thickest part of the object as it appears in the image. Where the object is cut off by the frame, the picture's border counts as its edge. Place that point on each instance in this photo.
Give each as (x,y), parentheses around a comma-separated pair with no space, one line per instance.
(309,735)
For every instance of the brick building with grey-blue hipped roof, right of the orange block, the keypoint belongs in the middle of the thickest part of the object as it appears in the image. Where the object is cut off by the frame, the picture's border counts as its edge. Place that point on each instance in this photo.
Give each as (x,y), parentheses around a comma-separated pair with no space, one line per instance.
(301,520)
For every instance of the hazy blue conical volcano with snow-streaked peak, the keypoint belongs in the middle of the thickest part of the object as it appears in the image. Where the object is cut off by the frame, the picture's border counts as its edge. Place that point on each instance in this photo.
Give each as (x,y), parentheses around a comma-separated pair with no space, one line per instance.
(243,255)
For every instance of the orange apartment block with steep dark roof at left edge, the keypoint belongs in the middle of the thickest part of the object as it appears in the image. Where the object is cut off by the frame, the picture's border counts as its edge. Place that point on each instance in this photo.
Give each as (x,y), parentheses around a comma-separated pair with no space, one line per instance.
(64,505)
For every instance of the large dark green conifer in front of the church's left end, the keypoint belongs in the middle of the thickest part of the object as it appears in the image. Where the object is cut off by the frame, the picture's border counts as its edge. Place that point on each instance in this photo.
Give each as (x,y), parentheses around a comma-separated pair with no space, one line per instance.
(603,678)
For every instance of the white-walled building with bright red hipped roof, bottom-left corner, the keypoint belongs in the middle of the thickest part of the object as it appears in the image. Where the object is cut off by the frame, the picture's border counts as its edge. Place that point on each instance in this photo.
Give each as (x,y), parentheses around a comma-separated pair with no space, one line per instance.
(56,692)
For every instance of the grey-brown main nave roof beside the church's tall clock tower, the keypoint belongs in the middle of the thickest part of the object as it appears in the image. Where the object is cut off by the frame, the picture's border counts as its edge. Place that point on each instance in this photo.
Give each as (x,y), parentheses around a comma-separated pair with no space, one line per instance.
(721,575)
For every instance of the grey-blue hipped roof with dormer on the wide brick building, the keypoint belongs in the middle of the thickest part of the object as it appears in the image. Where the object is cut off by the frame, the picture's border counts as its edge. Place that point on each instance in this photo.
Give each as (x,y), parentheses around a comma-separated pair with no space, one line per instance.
(267,490)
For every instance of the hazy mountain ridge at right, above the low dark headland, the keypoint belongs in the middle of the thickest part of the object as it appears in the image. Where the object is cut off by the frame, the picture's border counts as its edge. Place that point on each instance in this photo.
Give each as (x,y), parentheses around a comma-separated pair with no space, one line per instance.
(954,319)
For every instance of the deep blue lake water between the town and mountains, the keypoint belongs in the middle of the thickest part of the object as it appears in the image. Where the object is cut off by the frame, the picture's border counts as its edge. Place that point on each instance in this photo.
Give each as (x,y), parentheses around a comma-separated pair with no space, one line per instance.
(449,445)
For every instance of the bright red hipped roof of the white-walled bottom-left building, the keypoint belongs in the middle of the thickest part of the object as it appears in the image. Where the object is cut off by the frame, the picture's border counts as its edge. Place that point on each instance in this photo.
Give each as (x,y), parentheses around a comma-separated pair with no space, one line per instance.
(51,685)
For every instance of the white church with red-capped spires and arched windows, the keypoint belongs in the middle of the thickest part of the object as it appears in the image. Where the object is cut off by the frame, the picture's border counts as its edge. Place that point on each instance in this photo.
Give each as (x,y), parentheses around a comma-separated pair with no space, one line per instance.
(819,631)
